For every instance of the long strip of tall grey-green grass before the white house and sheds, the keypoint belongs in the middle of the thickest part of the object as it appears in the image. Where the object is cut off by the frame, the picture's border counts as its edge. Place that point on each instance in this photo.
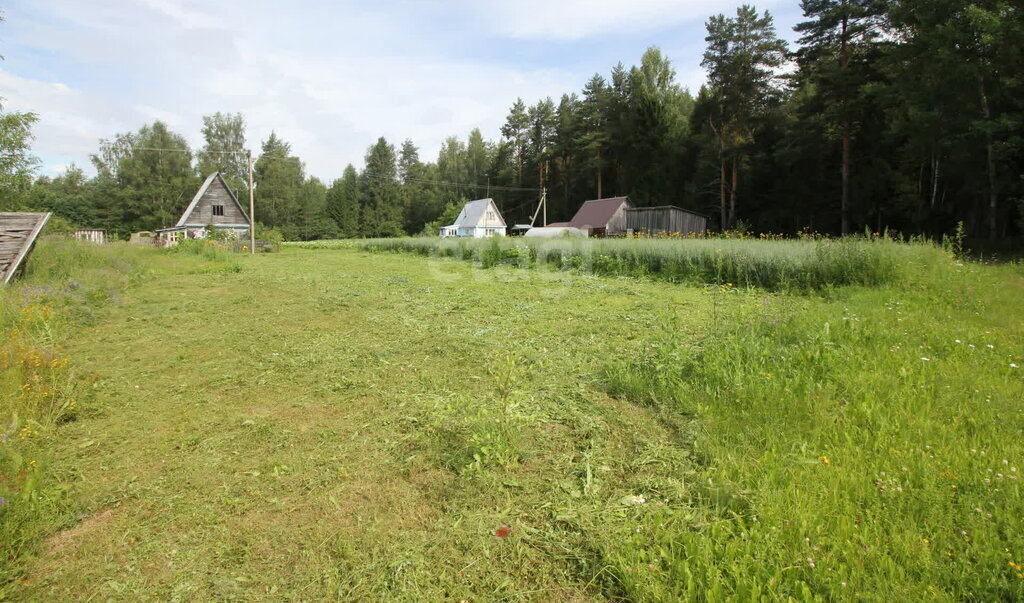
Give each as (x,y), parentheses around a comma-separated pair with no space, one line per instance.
(778,266)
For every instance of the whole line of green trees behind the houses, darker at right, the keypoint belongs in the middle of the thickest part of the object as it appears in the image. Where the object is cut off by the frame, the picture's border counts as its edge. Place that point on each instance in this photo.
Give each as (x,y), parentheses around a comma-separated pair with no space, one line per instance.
(905,115)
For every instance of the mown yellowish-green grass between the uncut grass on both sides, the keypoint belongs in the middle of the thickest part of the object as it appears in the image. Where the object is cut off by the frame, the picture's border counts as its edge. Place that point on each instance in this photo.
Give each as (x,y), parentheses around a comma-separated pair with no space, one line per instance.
(345,424)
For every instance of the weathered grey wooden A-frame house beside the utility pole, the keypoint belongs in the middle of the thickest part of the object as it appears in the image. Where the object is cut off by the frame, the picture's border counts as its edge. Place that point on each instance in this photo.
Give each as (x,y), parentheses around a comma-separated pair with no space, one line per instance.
(215,204)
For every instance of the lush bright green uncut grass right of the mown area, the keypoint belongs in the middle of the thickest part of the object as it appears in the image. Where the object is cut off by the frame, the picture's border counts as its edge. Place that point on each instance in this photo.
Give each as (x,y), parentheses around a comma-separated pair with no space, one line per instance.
(865,449)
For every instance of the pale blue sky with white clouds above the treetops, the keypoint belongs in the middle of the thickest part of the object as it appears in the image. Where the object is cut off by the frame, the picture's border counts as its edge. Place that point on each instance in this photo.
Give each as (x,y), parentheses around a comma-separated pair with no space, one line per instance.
(329,77)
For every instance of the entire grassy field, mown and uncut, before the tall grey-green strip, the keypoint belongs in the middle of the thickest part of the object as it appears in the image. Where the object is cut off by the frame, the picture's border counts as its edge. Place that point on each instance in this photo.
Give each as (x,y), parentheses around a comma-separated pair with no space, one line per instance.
(340,423)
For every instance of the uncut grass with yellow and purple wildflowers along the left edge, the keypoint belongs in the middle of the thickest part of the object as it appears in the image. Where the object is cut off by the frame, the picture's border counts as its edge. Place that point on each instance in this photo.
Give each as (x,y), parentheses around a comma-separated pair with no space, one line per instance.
(66,287)
